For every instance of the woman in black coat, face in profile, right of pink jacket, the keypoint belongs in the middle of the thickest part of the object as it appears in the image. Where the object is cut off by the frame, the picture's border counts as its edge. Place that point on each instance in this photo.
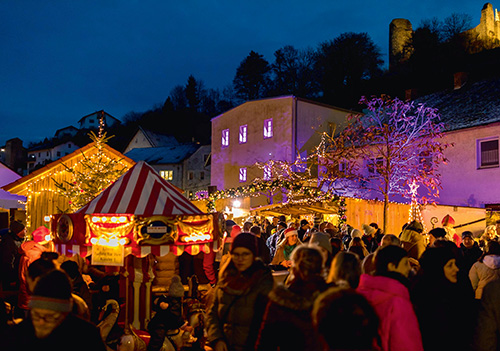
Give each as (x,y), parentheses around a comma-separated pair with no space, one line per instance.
(443,301)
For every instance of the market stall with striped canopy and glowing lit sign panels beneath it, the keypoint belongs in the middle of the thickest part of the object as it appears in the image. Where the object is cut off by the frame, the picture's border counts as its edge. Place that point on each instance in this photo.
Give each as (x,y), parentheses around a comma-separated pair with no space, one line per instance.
(138,215)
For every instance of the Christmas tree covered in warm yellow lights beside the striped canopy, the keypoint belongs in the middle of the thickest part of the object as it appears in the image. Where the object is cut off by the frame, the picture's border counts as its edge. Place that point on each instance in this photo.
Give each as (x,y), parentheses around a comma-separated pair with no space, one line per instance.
(90,176)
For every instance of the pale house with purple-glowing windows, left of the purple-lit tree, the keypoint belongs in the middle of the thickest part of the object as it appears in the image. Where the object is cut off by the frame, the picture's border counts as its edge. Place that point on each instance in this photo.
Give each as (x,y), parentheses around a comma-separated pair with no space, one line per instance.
(276,128)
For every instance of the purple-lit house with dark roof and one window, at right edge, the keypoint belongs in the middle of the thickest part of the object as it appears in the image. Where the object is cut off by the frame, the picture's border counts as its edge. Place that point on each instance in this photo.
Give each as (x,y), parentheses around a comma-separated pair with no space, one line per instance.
(471,114)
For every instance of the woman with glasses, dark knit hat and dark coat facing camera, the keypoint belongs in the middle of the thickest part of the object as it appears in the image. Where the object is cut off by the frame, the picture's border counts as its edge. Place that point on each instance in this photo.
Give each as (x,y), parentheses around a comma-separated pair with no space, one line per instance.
(240,297)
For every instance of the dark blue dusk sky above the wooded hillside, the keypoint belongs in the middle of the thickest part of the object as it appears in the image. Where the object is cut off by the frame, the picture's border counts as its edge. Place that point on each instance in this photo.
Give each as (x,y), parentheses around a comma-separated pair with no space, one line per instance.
(61,60)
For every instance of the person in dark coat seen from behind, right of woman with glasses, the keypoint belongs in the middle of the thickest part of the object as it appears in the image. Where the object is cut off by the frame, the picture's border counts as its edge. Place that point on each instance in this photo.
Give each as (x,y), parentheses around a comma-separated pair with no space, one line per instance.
(287,323)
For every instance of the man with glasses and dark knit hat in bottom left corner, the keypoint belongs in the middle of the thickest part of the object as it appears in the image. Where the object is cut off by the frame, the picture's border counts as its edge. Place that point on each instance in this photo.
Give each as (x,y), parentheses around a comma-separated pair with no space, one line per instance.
(50,324)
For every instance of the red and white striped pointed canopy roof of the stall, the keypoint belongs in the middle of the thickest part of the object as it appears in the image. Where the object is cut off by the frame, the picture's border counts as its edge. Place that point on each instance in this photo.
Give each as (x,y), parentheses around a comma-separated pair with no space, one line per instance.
(142,192)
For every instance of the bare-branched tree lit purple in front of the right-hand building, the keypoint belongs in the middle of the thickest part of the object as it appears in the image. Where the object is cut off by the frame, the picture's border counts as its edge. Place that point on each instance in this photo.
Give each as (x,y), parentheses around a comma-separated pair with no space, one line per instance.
(398,144)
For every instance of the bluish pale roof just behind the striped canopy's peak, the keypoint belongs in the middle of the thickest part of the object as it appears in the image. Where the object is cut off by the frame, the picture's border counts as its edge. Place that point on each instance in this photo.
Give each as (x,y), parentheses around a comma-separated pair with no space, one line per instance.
(164,154)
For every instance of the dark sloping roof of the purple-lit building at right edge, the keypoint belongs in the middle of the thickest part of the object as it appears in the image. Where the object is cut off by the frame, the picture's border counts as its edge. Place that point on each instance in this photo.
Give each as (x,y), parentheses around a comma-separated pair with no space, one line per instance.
(472,105)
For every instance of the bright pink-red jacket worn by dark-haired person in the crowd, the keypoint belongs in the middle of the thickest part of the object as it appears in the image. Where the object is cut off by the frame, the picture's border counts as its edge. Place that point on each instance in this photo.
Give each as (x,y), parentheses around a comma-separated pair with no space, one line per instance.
(399,328)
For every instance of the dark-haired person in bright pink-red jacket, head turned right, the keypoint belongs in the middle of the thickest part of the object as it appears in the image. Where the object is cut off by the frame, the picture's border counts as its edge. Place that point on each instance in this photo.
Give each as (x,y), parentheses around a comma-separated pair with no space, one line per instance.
(387,291)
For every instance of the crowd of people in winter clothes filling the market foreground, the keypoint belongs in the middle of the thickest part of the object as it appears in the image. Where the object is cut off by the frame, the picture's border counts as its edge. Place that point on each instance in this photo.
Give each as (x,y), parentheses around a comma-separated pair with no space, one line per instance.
(280,285)
